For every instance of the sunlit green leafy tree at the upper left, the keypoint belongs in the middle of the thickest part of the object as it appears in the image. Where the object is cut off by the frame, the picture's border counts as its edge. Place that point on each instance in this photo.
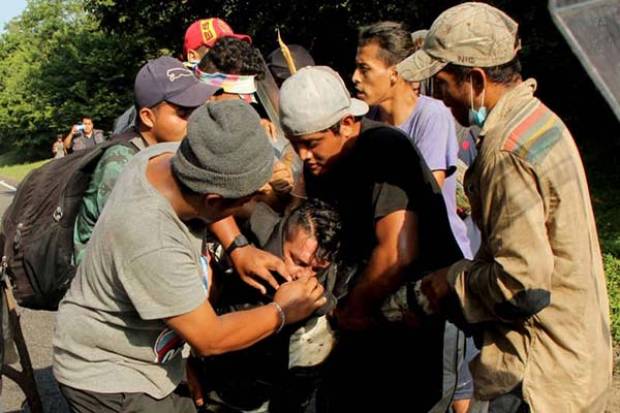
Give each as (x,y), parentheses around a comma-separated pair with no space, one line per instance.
(56,65)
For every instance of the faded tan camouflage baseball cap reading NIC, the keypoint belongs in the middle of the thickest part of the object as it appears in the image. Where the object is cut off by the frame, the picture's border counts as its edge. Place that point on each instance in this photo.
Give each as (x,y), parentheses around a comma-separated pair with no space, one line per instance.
(470,34)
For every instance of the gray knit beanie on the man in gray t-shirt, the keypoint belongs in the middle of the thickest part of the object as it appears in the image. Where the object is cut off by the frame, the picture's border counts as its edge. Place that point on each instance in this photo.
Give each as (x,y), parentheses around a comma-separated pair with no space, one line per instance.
(226,151)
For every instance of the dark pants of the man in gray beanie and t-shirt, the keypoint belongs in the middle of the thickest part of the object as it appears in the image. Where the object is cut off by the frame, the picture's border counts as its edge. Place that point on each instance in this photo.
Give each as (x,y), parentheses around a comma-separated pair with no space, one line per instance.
(83,401)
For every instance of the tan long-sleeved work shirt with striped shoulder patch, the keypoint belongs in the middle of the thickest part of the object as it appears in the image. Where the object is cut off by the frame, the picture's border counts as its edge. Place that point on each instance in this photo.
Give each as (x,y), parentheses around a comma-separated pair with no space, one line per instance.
(536,288)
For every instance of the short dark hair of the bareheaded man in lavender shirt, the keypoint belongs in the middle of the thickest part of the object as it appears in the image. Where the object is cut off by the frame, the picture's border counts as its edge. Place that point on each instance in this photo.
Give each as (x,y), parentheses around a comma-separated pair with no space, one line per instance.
(393,39)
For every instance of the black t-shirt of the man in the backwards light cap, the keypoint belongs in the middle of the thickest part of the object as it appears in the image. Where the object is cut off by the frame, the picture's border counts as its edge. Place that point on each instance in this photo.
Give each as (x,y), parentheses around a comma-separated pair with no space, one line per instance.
(383,173)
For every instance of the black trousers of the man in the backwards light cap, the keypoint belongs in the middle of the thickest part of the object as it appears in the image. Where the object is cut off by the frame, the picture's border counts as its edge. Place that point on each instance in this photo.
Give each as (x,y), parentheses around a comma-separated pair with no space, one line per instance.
(388,370)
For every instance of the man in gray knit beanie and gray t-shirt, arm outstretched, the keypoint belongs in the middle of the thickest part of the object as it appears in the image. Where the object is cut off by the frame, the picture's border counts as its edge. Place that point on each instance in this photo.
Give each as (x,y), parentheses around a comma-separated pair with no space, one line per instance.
(140,293)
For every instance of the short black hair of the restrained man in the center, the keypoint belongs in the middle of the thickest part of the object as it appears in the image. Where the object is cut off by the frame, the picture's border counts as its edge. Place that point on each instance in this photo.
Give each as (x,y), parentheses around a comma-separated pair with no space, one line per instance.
(320,220)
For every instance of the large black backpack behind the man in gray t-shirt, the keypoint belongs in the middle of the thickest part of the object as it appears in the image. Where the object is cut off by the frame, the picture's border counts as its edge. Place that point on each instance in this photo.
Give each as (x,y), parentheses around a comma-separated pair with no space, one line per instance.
(36,237)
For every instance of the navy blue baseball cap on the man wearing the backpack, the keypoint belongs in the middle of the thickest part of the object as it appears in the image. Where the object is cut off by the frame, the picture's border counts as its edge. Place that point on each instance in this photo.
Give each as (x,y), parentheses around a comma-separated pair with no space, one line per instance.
(166,79)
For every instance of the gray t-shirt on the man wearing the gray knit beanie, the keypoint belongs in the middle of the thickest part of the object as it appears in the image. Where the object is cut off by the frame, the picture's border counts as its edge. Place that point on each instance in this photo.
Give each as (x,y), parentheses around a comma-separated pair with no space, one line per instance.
(142,265)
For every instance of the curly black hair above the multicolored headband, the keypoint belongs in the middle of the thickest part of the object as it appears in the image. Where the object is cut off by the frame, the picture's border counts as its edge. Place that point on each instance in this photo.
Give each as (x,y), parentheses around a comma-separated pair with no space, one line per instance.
(233,56)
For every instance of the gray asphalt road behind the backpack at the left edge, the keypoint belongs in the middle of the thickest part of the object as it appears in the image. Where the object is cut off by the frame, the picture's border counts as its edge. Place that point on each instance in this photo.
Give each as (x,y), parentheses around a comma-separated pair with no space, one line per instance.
(38,328)
